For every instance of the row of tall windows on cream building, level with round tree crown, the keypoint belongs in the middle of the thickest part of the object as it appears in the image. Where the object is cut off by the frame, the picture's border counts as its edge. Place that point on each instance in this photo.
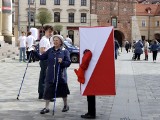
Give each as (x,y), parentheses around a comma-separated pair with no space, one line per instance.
(71,17)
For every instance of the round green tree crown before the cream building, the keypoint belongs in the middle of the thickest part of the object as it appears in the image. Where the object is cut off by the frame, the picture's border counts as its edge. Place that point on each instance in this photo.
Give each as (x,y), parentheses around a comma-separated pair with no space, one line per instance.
(44,17)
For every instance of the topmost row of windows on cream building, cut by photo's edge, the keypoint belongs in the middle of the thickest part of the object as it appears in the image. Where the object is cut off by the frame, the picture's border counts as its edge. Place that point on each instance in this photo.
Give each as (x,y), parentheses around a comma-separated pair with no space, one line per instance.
(58,2)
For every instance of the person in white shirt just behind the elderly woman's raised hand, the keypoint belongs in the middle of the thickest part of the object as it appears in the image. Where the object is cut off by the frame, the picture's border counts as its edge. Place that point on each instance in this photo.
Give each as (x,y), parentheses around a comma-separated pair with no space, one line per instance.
(30,42)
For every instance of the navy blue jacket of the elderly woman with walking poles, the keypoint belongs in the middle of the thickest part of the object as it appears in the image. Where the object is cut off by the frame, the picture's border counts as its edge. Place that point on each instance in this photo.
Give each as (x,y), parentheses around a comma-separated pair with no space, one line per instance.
(52,55)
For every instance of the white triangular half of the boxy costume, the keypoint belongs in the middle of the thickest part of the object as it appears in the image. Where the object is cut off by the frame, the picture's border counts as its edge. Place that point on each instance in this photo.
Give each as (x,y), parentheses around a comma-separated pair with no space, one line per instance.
(94,39)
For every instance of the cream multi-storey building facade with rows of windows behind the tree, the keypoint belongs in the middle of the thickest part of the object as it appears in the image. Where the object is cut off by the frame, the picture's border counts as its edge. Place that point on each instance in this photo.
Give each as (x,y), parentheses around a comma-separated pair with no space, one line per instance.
(71,14)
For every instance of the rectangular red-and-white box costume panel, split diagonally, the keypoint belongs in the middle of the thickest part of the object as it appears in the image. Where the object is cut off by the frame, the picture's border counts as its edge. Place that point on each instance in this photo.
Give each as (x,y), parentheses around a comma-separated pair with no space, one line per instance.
(100,74)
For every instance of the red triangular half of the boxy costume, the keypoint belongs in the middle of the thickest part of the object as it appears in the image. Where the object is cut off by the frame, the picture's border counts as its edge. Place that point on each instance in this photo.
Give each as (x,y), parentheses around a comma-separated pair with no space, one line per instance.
(102,81)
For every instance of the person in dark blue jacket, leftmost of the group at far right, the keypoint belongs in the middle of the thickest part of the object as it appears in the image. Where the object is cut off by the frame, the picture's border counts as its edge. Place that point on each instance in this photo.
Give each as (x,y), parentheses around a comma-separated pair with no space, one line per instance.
(138,50)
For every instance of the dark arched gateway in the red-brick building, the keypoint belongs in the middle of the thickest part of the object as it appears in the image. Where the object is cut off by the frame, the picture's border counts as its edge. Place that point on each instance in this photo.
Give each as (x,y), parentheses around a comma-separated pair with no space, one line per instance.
(119,36)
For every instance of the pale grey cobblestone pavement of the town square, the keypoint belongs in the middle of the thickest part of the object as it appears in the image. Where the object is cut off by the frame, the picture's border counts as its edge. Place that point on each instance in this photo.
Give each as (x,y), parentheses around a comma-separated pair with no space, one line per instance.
(137,84)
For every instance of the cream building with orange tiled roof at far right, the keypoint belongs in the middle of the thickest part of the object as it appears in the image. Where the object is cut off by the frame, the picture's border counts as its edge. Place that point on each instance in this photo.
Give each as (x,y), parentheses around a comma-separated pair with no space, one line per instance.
(148,20)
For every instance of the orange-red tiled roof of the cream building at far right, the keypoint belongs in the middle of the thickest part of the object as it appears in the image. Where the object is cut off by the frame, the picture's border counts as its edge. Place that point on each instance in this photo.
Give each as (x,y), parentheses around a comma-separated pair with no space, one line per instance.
(142,9)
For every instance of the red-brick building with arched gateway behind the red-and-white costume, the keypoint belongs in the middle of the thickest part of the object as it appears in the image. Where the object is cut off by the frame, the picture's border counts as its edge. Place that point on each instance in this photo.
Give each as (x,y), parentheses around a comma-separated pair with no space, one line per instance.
(115,13)
